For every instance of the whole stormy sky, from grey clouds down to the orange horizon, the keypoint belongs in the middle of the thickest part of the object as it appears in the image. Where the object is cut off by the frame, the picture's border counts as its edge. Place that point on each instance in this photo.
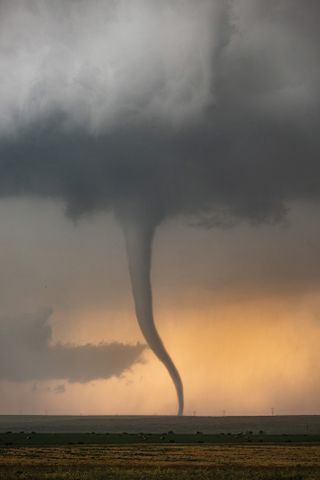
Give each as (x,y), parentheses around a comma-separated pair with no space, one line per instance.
(187,131)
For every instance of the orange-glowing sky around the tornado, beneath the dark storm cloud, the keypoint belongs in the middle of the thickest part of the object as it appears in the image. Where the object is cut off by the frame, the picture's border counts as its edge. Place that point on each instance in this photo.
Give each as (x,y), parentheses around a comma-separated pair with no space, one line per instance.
(238,312)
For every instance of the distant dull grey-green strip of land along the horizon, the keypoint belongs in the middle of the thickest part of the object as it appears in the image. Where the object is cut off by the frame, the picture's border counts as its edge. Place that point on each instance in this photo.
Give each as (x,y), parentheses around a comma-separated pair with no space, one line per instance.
(272,425)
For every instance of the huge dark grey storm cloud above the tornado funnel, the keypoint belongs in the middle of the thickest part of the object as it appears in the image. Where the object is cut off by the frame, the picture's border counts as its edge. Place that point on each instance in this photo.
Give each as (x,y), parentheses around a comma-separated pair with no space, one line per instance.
(208,108)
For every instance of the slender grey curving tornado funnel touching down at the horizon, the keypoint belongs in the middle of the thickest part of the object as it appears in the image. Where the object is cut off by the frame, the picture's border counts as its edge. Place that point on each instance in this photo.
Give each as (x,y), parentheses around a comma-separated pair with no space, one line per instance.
(139,232)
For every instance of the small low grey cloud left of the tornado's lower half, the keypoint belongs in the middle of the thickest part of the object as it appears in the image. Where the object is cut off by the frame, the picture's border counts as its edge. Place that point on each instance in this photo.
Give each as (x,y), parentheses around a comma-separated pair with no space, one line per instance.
(27,354)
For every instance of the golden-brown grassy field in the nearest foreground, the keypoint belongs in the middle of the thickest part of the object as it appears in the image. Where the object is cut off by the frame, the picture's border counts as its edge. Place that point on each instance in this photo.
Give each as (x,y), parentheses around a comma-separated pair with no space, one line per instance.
(165,462)
